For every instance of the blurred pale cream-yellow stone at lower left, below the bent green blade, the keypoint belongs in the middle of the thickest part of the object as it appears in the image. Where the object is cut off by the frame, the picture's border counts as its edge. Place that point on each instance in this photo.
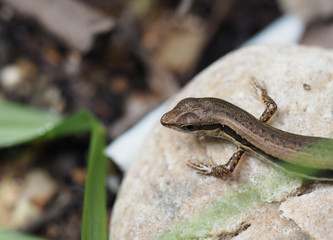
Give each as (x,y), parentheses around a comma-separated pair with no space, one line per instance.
(22,201)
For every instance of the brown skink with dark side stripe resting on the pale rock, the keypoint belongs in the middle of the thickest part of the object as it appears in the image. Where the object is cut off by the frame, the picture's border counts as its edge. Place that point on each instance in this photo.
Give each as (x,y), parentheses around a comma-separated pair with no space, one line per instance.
(307,156)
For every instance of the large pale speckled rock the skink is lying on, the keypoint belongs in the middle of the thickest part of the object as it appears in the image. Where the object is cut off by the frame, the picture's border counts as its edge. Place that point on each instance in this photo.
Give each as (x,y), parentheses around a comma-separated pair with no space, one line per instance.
(162,198)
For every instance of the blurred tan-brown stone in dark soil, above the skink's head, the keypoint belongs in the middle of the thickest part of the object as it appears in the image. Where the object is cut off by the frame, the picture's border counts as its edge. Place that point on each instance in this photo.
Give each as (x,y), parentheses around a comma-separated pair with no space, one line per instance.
(175,45)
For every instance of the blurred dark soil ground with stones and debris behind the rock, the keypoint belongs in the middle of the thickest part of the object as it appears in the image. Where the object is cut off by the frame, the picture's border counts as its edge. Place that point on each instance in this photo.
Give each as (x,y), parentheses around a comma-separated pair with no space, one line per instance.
(118,59)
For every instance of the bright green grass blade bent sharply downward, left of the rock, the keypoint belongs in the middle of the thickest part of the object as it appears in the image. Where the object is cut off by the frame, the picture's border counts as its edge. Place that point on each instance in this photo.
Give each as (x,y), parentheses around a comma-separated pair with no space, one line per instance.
(19,124)
